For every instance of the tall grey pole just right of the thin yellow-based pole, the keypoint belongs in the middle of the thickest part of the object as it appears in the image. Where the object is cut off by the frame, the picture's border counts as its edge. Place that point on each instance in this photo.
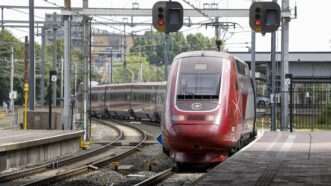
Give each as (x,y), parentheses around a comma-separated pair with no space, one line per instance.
(31,55)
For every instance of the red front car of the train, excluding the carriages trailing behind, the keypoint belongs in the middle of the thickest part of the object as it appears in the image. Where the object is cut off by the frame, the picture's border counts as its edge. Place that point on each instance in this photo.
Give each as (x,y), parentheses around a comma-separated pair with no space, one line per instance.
(209,109)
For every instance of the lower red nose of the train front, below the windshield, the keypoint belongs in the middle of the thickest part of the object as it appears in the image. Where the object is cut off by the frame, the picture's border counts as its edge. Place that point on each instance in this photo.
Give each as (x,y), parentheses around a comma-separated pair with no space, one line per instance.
(196,143)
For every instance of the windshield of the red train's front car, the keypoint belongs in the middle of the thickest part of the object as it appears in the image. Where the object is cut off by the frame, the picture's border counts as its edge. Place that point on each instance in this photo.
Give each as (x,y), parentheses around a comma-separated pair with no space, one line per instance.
(199,78)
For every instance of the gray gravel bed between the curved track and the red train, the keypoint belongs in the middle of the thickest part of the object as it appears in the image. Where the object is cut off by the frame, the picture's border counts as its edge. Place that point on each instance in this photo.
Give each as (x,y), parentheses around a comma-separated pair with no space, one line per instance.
(145,163)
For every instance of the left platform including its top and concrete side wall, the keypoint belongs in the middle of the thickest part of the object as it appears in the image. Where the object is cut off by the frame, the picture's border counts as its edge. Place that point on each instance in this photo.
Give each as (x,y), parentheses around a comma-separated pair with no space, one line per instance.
(19,148)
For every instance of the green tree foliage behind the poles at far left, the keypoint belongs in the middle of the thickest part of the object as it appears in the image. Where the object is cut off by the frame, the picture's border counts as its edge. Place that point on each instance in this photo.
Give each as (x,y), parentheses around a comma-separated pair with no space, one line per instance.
(6,41)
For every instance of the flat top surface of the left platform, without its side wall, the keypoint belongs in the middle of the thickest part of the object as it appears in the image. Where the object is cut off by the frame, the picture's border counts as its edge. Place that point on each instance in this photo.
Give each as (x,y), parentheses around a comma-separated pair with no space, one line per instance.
(18,139)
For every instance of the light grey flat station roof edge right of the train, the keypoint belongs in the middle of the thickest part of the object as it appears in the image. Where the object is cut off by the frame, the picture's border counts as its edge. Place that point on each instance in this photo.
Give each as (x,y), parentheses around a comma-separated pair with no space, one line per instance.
(308,56)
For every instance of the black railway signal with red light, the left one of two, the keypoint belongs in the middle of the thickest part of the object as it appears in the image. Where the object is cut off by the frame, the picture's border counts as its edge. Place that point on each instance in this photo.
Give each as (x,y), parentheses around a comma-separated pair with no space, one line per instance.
(167,16)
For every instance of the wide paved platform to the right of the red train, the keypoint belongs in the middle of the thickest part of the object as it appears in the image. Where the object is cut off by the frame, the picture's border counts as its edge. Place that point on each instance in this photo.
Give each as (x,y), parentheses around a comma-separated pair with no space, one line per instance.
(277,158)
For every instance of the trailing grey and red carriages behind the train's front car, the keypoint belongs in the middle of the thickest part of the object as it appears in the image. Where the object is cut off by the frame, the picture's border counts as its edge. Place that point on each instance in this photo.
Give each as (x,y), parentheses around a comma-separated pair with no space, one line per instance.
(139,101)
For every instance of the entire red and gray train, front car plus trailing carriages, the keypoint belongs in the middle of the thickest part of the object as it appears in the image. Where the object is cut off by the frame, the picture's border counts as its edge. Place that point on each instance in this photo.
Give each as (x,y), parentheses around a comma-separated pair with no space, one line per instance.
(206,109)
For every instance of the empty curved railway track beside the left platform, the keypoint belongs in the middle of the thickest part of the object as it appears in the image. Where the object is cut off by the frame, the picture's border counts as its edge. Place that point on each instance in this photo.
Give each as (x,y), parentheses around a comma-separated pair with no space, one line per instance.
(74,165)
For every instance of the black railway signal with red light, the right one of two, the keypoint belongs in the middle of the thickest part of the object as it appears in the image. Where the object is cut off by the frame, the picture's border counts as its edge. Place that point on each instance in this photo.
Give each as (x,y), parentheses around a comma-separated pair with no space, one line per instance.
(264,16)
